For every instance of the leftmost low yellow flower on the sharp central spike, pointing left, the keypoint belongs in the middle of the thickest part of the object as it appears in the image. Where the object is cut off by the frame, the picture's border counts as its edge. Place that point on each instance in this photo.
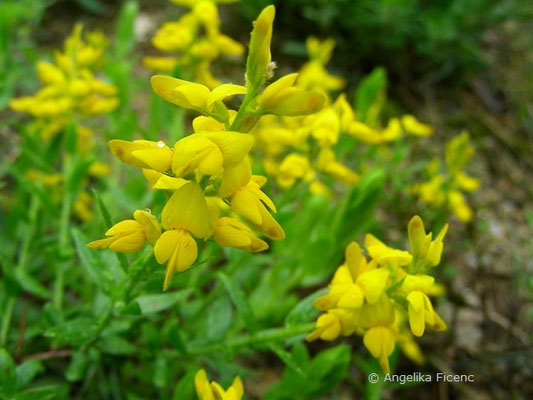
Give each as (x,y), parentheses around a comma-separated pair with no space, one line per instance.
(129,236)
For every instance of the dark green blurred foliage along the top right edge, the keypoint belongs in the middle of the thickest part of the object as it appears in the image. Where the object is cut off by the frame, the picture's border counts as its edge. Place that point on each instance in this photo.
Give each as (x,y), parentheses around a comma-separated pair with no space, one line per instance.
(440,39)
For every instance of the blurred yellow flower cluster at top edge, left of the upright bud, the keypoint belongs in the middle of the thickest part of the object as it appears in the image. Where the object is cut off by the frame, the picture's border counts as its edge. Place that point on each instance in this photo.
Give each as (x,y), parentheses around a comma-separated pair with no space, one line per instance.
(197,39)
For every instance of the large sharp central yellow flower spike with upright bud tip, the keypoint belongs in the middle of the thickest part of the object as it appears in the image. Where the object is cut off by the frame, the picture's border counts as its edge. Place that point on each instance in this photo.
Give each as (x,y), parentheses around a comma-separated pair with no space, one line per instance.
(213,193)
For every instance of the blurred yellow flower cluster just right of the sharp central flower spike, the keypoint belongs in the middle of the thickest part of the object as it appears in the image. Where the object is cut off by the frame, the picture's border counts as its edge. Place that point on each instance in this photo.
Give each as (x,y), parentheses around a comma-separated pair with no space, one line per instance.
(302,149)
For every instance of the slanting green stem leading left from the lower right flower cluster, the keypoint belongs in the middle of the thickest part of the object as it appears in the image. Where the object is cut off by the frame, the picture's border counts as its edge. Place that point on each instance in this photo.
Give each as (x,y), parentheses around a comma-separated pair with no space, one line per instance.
(268,335)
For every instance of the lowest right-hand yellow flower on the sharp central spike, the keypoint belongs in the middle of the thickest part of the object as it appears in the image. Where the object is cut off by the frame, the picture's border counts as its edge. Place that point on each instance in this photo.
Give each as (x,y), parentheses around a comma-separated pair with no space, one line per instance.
(230,232)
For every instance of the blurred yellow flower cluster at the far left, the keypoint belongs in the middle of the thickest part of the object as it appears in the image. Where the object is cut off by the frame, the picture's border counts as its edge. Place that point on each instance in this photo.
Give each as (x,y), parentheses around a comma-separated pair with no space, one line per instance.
(70,93)
